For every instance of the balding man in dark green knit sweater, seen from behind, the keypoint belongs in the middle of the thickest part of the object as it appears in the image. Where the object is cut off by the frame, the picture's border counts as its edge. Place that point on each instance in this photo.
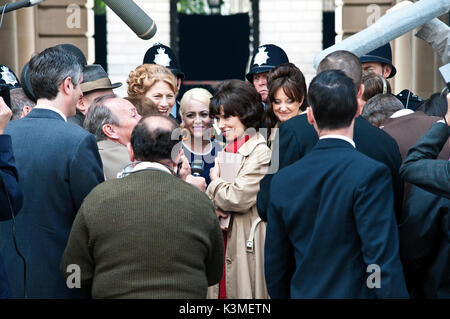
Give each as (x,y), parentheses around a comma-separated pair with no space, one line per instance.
(148,234)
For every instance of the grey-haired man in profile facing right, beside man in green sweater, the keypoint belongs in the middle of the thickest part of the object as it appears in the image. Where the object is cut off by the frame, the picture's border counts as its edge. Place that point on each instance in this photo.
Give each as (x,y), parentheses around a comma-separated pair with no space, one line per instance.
(111,119)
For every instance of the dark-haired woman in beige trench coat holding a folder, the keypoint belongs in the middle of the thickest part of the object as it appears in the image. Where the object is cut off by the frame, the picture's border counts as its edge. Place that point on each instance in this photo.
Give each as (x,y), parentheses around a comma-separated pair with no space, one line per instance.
(238,109)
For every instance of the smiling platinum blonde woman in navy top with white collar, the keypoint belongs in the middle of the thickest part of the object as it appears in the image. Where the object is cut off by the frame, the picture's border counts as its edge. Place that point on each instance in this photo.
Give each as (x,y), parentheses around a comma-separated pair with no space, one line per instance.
(198,146)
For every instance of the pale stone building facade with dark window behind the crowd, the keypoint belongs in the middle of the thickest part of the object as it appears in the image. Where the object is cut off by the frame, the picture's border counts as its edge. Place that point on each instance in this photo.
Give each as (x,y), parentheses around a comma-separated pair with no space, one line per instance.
(298,26)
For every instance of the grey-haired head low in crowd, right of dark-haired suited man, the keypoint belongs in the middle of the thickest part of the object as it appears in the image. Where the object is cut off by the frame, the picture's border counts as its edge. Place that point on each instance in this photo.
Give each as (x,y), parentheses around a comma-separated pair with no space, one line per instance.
(381,107)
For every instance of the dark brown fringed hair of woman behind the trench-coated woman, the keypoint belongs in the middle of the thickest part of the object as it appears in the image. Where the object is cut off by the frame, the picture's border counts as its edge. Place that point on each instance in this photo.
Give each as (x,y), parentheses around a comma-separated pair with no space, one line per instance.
(288,77)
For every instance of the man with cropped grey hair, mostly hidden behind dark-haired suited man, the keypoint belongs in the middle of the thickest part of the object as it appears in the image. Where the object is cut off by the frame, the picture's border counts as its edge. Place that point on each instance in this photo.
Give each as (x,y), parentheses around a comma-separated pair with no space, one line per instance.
(296,137)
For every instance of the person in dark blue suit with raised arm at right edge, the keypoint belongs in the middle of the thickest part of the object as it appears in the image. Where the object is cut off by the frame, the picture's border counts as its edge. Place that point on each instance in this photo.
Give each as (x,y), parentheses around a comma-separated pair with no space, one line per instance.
(425,227)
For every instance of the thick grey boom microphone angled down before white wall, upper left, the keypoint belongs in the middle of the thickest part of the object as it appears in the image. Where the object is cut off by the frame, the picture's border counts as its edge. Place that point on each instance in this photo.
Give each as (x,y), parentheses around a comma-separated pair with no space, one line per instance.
(134,17)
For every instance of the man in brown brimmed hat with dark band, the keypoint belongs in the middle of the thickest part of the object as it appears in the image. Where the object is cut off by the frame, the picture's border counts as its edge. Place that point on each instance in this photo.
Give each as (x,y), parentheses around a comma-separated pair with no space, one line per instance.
(96,83)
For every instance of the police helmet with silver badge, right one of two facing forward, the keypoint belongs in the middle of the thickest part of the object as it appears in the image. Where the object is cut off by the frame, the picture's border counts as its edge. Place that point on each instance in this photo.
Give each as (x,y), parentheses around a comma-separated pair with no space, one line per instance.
(265,59)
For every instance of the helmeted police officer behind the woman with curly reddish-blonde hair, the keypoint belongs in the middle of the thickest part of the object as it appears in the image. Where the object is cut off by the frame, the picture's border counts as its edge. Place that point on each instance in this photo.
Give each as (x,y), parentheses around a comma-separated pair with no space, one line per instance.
(163,55)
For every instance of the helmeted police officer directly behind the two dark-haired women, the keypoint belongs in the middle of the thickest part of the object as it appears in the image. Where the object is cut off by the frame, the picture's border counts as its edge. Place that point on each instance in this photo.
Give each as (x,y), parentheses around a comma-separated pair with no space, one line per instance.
(266,58)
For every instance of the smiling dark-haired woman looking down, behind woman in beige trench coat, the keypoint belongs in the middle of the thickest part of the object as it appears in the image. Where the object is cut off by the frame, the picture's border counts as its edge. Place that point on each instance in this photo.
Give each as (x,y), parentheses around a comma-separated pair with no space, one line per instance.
(287,96)
